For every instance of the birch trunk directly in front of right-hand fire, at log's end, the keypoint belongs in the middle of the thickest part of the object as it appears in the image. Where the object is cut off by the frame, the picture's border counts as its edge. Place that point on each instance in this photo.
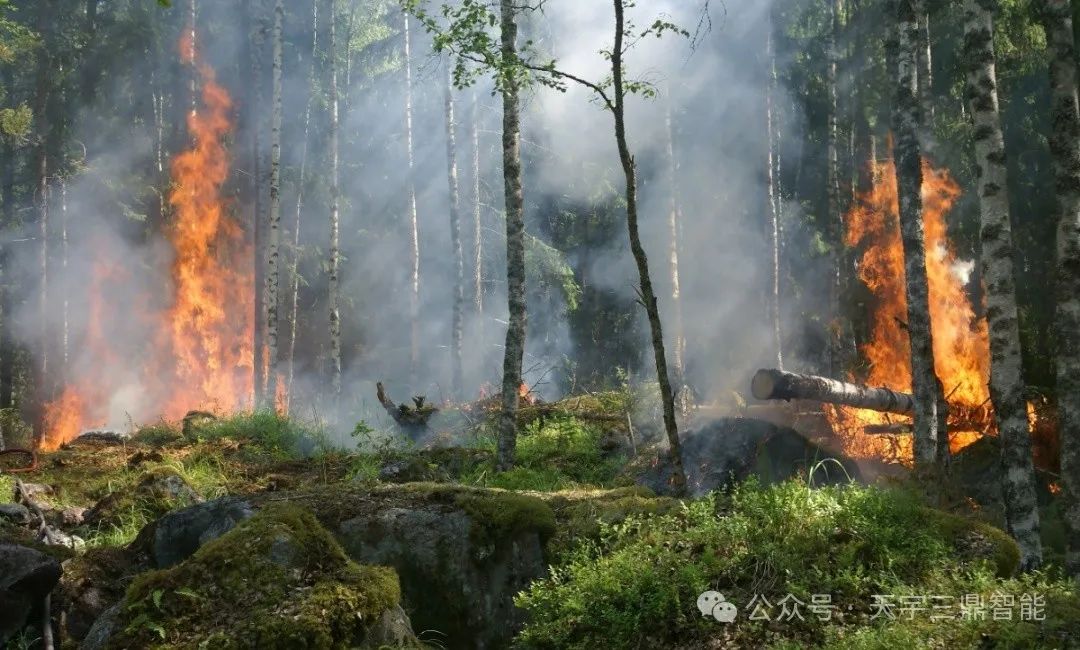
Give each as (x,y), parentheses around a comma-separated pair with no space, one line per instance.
(926,388)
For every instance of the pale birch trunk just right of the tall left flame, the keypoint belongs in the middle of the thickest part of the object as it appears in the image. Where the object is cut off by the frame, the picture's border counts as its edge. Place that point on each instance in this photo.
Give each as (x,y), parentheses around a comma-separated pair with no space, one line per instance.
(274,240)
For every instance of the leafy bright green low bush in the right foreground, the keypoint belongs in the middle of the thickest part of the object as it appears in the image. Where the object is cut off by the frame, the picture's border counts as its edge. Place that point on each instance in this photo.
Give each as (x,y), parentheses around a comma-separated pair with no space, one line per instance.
(638,587)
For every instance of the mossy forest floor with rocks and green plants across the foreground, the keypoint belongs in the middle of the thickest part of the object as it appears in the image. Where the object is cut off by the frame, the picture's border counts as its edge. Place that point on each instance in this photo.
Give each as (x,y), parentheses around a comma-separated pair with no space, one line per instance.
(566,551)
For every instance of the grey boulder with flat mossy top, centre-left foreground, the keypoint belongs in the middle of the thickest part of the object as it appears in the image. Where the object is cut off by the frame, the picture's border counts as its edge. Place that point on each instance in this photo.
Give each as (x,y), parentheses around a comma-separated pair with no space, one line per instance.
(462,553)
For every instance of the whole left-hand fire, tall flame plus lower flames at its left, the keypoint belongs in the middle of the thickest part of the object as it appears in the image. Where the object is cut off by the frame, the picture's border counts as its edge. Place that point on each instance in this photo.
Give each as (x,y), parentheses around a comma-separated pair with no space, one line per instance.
(201,355)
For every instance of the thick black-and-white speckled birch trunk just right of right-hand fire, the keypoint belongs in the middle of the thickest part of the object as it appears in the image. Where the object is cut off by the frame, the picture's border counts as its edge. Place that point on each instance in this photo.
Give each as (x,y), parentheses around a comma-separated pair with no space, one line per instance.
(1007,381)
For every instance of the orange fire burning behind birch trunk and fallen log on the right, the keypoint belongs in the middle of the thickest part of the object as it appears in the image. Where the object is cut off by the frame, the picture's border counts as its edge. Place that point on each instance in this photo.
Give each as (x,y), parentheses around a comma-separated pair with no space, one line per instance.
(962,344)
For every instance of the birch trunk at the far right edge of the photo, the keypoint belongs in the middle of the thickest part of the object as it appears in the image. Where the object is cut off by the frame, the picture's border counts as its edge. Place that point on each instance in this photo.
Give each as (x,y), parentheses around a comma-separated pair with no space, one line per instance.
(1065,147)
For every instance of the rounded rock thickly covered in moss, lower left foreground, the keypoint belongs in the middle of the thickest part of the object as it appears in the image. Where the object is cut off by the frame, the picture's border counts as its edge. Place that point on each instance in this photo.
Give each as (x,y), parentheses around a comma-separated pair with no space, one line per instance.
(279,580)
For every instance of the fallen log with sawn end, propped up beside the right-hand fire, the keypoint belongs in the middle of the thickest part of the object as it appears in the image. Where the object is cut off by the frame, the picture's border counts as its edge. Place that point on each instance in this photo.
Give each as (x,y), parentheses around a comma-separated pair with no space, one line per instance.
(778,385)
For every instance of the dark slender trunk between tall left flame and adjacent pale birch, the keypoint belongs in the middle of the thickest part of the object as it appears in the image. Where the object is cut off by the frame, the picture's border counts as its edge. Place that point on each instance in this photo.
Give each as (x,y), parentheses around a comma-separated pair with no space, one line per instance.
(258,182)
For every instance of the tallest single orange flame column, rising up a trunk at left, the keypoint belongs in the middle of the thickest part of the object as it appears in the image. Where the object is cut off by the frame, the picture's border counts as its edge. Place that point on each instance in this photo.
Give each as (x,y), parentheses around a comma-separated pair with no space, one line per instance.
(212,319)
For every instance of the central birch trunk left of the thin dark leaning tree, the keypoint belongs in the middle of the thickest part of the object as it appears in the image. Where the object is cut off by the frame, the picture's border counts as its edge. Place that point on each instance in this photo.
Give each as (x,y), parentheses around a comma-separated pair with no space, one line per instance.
(515,349)
